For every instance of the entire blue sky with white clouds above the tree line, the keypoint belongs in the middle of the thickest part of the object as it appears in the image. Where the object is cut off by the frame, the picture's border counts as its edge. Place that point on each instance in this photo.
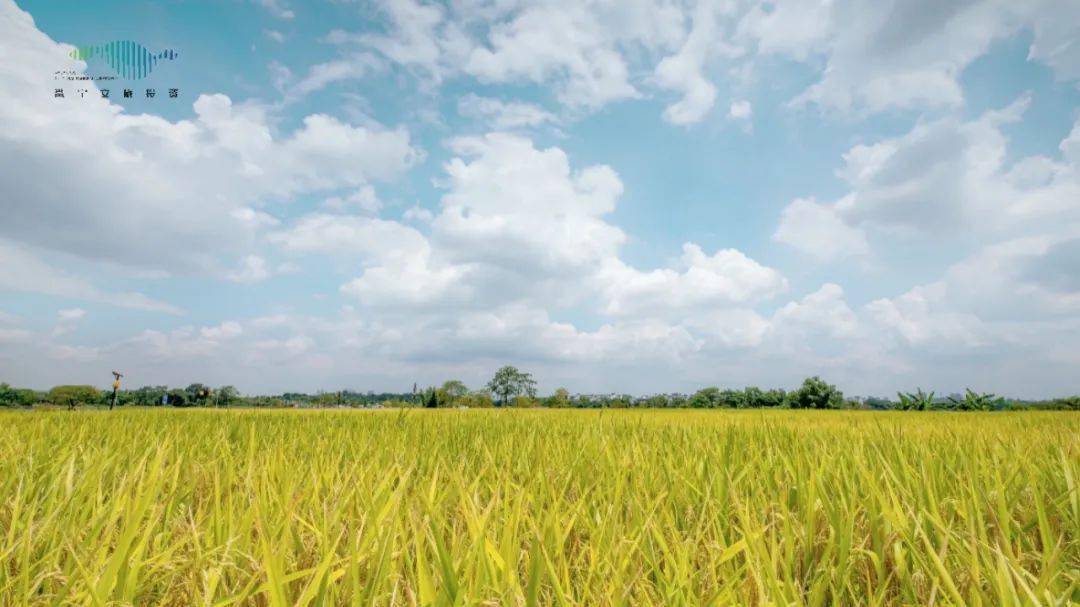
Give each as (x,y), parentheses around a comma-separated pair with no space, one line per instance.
(616,196)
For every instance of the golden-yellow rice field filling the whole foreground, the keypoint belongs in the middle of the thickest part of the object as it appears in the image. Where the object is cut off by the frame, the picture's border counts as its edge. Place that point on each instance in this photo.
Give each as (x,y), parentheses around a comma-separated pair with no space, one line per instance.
(539,508)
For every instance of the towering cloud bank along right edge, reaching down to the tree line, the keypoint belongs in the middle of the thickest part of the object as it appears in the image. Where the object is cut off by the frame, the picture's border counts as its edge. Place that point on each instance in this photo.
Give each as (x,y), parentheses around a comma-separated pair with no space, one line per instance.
(1006,233)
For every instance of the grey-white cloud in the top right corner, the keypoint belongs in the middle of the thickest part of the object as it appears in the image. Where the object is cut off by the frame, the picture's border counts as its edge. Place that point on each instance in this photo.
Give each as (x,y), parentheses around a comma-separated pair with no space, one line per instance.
(903,53)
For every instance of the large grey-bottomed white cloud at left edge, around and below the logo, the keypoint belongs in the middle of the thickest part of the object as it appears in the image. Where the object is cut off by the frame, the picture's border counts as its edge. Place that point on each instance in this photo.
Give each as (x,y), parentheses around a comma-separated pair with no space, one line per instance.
(157,194)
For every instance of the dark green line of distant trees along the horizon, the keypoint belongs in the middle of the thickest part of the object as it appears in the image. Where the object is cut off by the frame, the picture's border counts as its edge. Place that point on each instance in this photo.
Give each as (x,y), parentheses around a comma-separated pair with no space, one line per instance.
(512,388)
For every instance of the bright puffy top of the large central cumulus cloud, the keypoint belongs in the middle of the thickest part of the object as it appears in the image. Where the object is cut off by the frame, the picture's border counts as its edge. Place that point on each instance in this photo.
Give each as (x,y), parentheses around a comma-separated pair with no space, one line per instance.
(514,207)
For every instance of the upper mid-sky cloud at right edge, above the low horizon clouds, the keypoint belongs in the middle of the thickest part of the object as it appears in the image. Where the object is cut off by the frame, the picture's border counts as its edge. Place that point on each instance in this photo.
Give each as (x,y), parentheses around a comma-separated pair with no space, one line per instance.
(940,178)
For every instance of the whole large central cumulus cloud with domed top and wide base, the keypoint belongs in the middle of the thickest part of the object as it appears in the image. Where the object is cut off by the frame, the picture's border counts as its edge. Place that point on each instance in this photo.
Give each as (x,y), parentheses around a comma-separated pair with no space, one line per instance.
(520,232)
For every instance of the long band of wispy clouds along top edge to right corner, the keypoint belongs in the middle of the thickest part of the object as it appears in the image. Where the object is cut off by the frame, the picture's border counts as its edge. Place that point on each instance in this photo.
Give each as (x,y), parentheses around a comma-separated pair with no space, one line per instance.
(872,57)
